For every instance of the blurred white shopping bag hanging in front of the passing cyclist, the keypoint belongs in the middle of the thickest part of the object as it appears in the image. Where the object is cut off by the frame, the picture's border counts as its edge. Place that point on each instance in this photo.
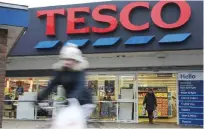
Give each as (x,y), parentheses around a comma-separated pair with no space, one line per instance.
(71,117)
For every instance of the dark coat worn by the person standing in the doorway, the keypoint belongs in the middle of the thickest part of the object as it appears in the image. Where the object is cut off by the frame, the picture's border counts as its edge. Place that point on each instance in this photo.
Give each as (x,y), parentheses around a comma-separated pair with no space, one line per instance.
(150,101)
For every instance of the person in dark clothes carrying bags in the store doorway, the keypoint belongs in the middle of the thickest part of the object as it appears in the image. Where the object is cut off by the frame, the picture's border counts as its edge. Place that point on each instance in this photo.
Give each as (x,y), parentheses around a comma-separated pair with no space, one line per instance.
(150,102)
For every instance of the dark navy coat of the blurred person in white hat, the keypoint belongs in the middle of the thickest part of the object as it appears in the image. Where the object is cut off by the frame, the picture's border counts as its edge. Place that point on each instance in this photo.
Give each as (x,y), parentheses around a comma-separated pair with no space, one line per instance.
(73,83)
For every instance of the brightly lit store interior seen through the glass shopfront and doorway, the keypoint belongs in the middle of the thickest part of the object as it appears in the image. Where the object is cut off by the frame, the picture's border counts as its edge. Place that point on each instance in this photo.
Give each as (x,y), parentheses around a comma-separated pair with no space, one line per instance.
(116,96)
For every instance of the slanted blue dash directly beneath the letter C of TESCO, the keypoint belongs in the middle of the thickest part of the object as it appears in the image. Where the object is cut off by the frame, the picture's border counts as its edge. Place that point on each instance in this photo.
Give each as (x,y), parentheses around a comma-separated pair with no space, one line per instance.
(138,40)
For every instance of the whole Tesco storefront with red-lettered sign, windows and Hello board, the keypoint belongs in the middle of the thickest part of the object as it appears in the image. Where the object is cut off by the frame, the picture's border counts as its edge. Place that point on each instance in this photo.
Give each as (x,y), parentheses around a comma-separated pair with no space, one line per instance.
(131,46)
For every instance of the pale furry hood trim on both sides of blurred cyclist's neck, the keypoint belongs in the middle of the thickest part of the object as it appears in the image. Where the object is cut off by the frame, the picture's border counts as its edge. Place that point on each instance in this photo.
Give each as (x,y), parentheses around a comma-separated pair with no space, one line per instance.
(79,67)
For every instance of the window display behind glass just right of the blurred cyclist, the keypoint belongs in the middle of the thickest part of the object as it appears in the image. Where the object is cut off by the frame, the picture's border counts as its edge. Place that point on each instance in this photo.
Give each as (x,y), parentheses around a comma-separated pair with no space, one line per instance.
(103,89)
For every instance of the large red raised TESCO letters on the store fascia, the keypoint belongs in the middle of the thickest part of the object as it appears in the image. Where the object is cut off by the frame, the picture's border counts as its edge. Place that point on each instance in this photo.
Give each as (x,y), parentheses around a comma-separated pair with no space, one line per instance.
(124,20)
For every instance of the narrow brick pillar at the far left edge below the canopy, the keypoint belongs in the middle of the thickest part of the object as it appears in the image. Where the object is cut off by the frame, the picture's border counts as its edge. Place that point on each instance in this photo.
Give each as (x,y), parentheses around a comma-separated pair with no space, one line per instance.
(3,43)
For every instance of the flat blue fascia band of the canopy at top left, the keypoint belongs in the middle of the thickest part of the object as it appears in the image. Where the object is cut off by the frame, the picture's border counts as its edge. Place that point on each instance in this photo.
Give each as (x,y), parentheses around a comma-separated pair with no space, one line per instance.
(14,17)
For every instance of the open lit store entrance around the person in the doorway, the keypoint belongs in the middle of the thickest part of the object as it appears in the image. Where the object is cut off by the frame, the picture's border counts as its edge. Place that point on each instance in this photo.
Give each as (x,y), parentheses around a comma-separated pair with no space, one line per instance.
(164,87)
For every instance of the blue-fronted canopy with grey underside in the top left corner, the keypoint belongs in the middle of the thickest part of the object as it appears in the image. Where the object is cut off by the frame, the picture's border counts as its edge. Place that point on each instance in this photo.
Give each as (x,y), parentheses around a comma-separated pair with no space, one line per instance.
(14,19)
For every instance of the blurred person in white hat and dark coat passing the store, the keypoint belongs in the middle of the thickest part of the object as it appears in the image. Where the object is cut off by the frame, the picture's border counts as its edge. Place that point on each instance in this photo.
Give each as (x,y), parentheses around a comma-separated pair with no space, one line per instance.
(69,73)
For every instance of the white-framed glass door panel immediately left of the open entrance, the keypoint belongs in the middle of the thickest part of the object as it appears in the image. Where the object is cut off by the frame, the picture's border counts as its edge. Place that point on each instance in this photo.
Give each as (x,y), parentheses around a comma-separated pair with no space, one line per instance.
(126,98)
